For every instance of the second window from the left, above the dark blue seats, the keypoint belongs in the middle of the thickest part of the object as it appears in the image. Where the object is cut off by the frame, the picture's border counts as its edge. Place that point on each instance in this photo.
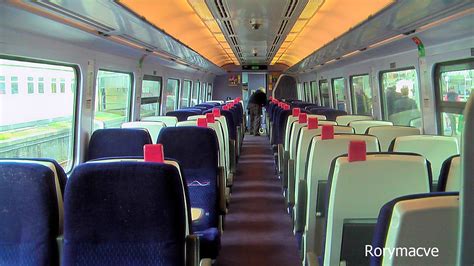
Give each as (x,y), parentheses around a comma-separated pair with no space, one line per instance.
(112,99)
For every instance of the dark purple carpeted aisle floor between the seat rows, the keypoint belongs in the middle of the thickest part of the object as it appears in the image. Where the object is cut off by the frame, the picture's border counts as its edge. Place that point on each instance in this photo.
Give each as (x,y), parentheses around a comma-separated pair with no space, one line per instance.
(258,231)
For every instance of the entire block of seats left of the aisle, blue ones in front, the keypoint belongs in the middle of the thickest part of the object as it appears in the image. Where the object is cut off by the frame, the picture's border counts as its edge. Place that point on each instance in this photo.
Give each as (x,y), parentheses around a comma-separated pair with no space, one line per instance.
(124,206)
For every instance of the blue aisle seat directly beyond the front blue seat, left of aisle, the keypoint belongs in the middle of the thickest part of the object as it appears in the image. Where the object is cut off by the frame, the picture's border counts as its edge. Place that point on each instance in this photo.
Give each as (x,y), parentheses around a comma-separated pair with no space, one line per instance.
(196,150)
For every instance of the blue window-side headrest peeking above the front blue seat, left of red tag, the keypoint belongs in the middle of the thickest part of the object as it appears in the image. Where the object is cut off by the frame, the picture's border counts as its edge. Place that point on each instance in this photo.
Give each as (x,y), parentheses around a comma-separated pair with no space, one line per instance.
(117,142)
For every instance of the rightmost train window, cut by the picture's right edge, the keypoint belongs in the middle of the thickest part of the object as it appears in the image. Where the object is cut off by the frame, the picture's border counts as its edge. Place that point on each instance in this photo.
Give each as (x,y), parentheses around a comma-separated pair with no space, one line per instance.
(454,84)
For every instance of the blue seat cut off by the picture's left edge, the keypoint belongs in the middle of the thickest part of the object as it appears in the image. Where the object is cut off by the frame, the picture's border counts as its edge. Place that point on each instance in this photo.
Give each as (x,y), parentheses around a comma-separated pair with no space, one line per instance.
(31,208)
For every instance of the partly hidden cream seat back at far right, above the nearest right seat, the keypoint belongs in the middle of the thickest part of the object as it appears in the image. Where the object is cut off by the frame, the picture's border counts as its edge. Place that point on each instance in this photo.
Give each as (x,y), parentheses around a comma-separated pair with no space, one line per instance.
(450,176)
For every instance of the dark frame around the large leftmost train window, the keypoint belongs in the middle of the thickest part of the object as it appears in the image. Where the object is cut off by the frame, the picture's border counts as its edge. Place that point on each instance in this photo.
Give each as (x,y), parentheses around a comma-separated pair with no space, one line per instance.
(76,102)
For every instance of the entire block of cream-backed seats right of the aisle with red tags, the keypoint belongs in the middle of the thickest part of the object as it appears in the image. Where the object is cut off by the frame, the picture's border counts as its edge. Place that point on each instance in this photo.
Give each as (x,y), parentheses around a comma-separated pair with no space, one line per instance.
(327,190)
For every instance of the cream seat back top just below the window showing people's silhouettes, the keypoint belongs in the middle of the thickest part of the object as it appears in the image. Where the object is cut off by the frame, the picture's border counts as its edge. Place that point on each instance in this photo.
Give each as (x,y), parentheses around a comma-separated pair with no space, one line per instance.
(386,134)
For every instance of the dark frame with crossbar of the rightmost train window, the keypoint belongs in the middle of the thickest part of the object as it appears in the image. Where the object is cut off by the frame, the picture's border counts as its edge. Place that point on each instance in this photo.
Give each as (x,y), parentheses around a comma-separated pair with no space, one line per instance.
(446,106)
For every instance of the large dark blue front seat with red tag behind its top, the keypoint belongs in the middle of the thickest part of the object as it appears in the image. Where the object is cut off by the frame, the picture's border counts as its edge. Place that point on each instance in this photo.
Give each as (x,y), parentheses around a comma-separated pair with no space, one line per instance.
(125,213)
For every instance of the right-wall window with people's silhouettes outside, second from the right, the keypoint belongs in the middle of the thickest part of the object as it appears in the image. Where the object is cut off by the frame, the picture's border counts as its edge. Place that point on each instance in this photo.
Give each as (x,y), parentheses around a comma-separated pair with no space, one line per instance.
(401,97)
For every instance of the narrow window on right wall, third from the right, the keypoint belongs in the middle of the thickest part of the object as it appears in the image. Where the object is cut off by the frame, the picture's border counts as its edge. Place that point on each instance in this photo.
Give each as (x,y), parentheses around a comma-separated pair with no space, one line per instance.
(361,95)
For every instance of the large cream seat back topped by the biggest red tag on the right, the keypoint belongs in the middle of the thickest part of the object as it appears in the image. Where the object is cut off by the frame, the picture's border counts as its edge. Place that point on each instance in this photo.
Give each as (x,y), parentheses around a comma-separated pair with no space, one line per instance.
(385,176)
